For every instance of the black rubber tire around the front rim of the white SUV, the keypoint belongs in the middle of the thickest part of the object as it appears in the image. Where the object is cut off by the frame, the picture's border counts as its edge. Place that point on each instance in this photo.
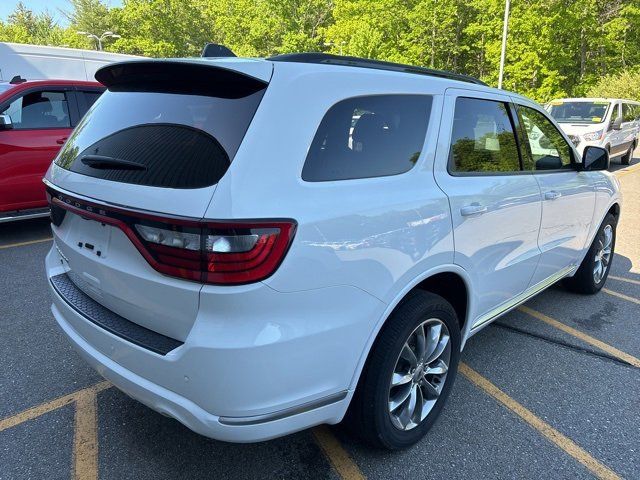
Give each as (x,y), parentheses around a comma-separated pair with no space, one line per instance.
(584,280)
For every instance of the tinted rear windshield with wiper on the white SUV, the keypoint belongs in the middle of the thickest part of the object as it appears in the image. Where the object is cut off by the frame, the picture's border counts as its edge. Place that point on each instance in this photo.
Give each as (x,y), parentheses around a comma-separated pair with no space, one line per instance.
(172,140)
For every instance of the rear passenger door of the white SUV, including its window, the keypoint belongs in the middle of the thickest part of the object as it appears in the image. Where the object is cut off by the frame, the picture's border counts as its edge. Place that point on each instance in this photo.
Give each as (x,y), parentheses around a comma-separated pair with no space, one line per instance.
(495,208)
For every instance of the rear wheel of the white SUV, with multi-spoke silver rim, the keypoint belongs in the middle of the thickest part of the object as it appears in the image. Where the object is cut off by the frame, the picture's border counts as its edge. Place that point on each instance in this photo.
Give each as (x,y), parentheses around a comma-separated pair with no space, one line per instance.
(409,373)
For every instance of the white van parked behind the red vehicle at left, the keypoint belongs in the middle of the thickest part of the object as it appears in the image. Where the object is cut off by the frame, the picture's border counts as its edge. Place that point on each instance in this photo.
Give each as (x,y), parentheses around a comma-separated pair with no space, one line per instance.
(36,62)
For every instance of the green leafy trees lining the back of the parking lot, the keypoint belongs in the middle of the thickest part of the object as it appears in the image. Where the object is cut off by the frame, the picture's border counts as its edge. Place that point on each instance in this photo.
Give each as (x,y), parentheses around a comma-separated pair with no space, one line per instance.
(555,47)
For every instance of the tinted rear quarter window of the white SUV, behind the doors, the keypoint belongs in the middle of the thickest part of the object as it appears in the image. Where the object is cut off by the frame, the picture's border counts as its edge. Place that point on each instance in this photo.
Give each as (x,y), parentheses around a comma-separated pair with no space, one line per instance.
(371,136)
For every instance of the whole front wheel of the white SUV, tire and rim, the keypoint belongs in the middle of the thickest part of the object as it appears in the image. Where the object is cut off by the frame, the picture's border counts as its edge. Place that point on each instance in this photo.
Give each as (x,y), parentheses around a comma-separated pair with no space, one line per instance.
(594,269)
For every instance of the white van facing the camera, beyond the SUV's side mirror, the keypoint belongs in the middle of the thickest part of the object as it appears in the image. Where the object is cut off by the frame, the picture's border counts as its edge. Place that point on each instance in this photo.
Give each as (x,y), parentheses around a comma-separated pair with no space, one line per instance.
(612,123)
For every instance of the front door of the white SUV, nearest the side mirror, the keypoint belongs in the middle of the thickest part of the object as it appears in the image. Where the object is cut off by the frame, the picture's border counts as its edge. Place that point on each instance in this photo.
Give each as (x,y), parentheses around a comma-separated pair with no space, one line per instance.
(568,195)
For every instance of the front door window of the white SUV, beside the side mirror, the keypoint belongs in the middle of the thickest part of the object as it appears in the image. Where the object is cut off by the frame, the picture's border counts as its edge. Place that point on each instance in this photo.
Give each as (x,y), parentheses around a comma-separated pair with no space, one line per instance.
(546,147)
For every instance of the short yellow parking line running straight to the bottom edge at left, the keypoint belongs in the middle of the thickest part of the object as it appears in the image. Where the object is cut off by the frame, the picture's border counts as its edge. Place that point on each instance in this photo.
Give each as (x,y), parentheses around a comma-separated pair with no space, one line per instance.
(85,440)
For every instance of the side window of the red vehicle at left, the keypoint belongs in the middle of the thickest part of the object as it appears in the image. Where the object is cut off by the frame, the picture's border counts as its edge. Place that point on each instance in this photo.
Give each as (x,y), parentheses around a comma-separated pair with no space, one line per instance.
(37,110)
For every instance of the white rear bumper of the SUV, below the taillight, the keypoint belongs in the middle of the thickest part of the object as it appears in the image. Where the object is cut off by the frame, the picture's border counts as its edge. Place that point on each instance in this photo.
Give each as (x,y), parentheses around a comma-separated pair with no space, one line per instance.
(296,379)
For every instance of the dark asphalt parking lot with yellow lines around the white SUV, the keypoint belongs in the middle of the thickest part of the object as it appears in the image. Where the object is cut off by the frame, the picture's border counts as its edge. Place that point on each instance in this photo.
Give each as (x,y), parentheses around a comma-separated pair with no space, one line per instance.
(551,390)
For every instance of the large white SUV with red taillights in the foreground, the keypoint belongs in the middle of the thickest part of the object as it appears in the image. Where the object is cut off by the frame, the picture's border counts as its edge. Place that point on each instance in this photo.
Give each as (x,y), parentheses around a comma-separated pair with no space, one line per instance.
(254,247)
